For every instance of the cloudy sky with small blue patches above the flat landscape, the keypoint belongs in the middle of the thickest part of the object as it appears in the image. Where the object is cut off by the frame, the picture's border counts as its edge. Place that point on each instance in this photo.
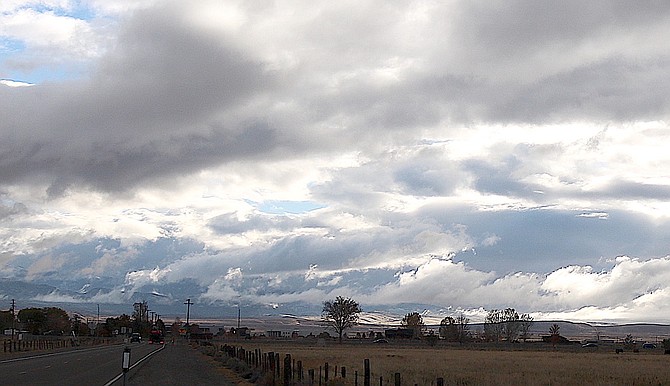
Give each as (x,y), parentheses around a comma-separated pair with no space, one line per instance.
(463,155)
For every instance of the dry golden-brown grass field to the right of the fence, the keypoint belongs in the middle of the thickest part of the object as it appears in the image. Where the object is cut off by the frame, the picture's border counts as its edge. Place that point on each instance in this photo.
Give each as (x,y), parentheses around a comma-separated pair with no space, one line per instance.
(422,365)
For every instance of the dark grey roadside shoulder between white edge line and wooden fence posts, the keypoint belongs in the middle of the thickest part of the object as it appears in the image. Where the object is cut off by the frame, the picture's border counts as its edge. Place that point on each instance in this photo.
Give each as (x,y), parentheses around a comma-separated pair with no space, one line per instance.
(178,364)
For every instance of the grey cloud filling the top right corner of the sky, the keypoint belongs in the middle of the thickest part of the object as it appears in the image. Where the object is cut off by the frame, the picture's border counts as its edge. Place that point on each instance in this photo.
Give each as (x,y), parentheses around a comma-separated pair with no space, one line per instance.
(521,26)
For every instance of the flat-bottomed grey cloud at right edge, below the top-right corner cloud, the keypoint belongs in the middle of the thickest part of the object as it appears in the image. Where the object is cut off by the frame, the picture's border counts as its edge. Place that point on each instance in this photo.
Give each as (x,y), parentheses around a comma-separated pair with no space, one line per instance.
(617,88)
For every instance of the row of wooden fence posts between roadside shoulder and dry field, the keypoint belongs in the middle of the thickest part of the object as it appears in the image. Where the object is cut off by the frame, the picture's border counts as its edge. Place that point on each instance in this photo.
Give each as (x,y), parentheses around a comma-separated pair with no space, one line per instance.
(288,371)
